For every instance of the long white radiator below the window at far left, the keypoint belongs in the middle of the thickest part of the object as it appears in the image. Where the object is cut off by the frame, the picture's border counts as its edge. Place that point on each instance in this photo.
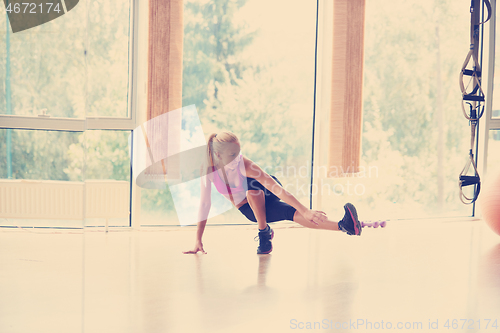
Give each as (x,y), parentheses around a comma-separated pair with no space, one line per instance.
(28,199)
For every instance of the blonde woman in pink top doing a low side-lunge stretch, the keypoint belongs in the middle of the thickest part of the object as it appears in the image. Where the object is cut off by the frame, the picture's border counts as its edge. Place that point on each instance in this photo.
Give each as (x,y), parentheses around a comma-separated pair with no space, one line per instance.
(257,195)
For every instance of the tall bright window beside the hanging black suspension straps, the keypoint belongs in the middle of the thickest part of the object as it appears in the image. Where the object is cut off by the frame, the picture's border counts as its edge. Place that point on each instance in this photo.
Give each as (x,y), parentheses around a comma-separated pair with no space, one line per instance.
(414,132)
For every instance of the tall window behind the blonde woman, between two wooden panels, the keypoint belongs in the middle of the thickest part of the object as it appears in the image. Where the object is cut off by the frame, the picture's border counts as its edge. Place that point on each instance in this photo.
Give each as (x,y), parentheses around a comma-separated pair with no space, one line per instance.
(248,67)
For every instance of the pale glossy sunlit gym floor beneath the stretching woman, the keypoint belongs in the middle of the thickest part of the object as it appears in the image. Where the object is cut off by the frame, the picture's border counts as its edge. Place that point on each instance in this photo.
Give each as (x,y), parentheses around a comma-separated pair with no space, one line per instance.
(423,275)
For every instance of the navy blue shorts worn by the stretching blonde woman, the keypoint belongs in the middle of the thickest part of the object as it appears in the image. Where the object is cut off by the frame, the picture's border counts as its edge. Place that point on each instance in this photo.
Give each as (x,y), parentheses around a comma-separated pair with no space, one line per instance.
(276,210)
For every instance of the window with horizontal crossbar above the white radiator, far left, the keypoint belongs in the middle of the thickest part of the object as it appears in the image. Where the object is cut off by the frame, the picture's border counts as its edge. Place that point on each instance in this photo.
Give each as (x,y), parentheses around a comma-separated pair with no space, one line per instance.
(66,117)
